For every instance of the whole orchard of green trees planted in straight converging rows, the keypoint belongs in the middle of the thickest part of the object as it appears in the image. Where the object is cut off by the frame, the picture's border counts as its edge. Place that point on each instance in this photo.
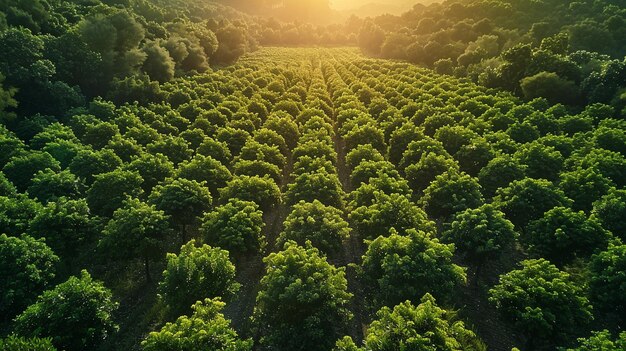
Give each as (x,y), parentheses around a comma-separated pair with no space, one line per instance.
(134,182)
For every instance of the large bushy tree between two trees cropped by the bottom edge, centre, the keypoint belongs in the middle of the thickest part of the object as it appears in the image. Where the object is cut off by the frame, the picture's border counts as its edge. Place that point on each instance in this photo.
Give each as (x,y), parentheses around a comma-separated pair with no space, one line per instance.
(301,294)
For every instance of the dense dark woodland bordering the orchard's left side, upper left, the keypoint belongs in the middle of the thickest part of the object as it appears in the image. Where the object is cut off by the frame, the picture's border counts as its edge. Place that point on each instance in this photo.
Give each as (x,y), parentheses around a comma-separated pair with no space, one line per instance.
(55,55)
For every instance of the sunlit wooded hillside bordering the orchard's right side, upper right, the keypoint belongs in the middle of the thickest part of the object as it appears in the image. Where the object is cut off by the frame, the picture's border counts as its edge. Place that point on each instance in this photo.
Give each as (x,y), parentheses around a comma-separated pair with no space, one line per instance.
(567,52)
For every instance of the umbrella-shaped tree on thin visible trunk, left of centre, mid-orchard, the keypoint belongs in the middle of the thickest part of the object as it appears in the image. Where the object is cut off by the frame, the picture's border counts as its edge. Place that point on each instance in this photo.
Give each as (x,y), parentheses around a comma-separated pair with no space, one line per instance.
(183,200)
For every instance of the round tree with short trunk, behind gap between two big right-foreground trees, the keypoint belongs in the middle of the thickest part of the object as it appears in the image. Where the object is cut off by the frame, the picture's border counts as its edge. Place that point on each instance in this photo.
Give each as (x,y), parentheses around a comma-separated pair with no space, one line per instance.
(480,234)
